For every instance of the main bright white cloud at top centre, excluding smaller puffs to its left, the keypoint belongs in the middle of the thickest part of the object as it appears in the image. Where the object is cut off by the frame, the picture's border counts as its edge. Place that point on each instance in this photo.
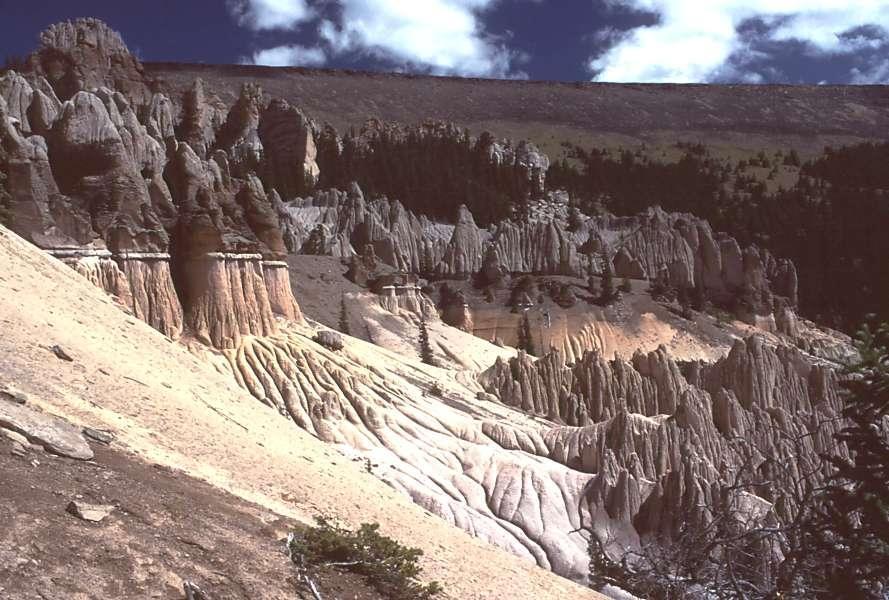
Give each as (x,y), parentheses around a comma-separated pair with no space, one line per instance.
(445,37)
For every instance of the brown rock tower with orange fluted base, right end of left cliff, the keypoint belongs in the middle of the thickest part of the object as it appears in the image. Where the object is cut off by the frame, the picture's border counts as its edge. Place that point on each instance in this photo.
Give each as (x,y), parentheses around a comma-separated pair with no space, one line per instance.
(224,231)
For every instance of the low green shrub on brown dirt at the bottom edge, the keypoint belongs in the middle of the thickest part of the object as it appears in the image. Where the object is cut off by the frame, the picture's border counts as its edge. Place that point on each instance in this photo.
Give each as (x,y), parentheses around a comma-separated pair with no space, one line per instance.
(392,569)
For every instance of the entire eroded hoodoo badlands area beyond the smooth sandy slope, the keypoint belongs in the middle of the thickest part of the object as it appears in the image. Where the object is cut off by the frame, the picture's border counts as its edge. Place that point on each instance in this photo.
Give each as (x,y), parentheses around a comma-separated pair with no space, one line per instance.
(188,211)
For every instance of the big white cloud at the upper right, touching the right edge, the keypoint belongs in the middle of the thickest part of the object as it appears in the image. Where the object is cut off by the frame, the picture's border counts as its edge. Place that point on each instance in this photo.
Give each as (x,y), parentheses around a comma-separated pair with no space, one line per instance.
(696,41)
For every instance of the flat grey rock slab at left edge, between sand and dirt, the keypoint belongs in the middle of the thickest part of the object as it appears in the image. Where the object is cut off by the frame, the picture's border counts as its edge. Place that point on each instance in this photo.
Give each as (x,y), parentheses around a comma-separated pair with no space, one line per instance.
(54,434)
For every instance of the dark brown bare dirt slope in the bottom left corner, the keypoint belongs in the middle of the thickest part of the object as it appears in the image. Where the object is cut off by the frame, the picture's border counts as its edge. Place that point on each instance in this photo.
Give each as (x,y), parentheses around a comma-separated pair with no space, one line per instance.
(166,528)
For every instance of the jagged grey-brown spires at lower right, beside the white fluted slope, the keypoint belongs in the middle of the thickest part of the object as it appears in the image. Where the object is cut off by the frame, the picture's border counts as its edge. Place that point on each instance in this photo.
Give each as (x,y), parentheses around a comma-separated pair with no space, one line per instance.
(760,403)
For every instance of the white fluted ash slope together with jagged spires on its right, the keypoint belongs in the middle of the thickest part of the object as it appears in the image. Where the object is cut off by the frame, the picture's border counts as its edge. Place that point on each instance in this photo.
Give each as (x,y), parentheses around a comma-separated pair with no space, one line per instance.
(646,450)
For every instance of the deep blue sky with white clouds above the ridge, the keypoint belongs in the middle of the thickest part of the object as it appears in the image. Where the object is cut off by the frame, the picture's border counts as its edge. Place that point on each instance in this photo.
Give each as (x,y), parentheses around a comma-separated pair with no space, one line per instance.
(656,41)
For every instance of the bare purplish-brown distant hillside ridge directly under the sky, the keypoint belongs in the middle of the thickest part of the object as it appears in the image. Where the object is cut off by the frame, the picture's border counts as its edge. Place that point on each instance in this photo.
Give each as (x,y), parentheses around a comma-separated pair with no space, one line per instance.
(728,116)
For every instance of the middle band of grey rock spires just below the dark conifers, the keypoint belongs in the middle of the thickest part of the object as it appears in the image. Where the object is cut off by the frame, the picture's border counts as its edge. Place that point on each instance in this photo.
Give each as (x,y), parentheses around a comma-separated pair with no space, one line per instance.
(678,247)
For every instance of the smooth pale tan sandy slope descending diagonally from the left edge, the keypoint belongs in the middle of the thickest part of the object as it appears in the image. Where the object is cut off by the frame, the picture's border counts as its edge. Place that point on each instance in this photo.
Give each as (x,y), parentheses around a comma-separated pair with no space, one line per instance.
(169,406)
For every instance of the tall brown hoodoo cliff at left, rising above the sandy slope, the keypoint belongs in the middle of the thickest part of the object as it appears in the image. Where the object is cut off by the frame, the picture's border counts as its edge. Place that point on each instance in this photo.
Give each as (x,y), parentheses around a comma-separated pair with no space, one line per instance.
(102,181)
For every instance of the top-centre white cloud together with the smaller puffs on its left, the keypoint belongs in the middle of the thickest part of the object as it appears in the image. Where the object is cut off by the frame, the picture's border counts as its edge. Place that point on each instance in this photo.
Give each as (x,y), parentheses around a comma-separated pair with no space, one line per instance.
(443,37)
